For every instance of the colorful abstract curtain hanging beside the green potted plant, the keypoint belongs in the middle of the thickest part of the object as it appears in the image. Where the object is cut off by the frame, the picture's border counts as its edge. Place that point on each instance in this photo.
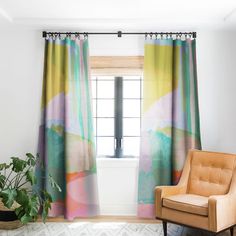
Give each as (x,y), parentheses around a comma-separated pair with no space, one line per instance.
(66,141)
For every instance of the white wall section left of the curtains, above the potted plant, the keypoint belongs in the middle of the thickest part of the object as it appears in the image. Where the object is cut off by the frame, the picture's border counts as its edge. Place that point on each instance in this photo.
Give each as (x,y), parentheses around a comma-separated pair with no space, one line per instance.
(21,54)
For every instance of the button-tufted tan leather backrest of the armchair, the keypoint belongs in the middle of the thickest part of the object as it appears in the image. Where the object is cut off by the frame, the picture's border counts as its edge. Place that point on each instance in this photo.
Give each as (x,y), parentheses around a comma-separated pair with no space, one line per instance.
(210,173)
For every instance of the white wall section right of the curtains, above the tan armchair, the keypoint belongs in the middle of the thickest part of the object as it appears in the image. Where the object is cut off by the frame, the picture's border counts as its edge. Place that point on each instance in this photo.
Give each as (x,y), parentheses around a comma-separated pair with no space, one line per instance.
(217,90)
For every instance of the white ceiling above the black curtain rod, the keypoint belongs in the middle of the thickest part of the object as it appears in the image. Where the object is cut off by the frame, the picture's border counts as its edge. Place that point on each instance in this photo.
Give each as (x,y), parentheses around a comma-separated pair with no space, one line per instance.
(142,15)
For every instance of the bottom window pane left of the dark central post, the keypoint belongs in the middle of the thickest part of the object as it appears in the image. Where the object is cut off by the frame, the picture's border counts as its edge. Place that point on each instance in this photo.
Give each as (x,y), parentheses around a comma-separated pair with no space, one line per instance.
(105,146)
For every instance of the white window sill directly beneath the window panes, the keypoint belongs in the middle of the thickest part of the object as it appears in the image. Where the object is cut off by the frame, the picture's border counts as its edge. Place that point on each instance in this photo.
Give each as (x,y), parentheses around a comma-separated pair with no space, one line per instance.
(105,162)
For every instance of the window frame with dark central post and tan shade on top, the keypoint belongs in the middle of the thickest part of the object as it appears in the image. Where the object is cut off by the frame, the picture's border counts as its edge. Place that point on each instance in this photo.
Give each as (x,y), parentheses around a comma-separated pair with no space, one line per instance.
(118,67)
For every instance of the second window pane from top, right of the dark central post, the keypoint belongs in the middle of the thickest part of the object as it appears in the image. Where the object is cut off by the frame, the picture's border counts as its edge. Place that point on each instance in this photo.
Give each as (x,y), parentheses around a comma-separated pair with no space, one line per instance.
(131,108)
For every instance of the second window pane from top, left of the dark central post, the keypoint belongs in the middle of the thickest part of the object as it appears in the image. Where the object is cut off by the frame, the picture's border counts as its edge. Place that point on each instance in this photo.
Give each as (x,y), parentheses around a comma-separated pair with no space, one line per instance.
(105,108)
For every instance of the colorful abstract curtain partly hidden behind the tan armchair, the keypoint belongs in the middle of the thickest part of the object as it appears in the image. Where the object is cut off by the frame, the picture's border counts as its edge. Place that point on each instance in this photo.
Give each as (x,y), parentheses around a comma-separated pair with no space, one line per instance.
(170,119)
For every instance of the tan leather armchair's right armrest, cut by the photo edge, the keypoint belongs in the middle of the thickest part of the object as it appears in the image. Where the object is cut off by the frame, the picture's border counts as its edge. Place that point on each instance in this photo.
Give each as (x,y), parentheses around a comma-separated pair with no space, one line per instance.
(221,211)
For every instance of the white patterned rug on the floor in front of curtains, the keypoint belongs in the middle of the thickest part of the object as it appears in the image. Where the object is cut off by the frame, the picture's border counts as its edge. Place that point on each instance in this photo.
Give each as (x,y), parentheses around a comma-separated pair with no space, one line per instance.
(89,229)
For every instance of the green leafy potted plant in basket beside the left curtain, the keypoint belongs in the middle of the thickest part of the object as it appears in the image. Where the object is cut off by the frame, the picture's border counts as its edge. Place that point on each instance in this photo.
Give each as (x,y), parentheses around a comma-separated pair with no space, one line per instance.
(21,199)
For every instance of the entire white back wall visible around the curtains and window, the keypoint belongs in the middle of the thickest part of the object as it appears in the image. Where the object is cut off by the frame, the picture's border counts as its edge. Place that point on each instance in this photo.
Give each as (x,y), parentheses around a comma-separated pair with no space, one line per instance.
(21,57)
